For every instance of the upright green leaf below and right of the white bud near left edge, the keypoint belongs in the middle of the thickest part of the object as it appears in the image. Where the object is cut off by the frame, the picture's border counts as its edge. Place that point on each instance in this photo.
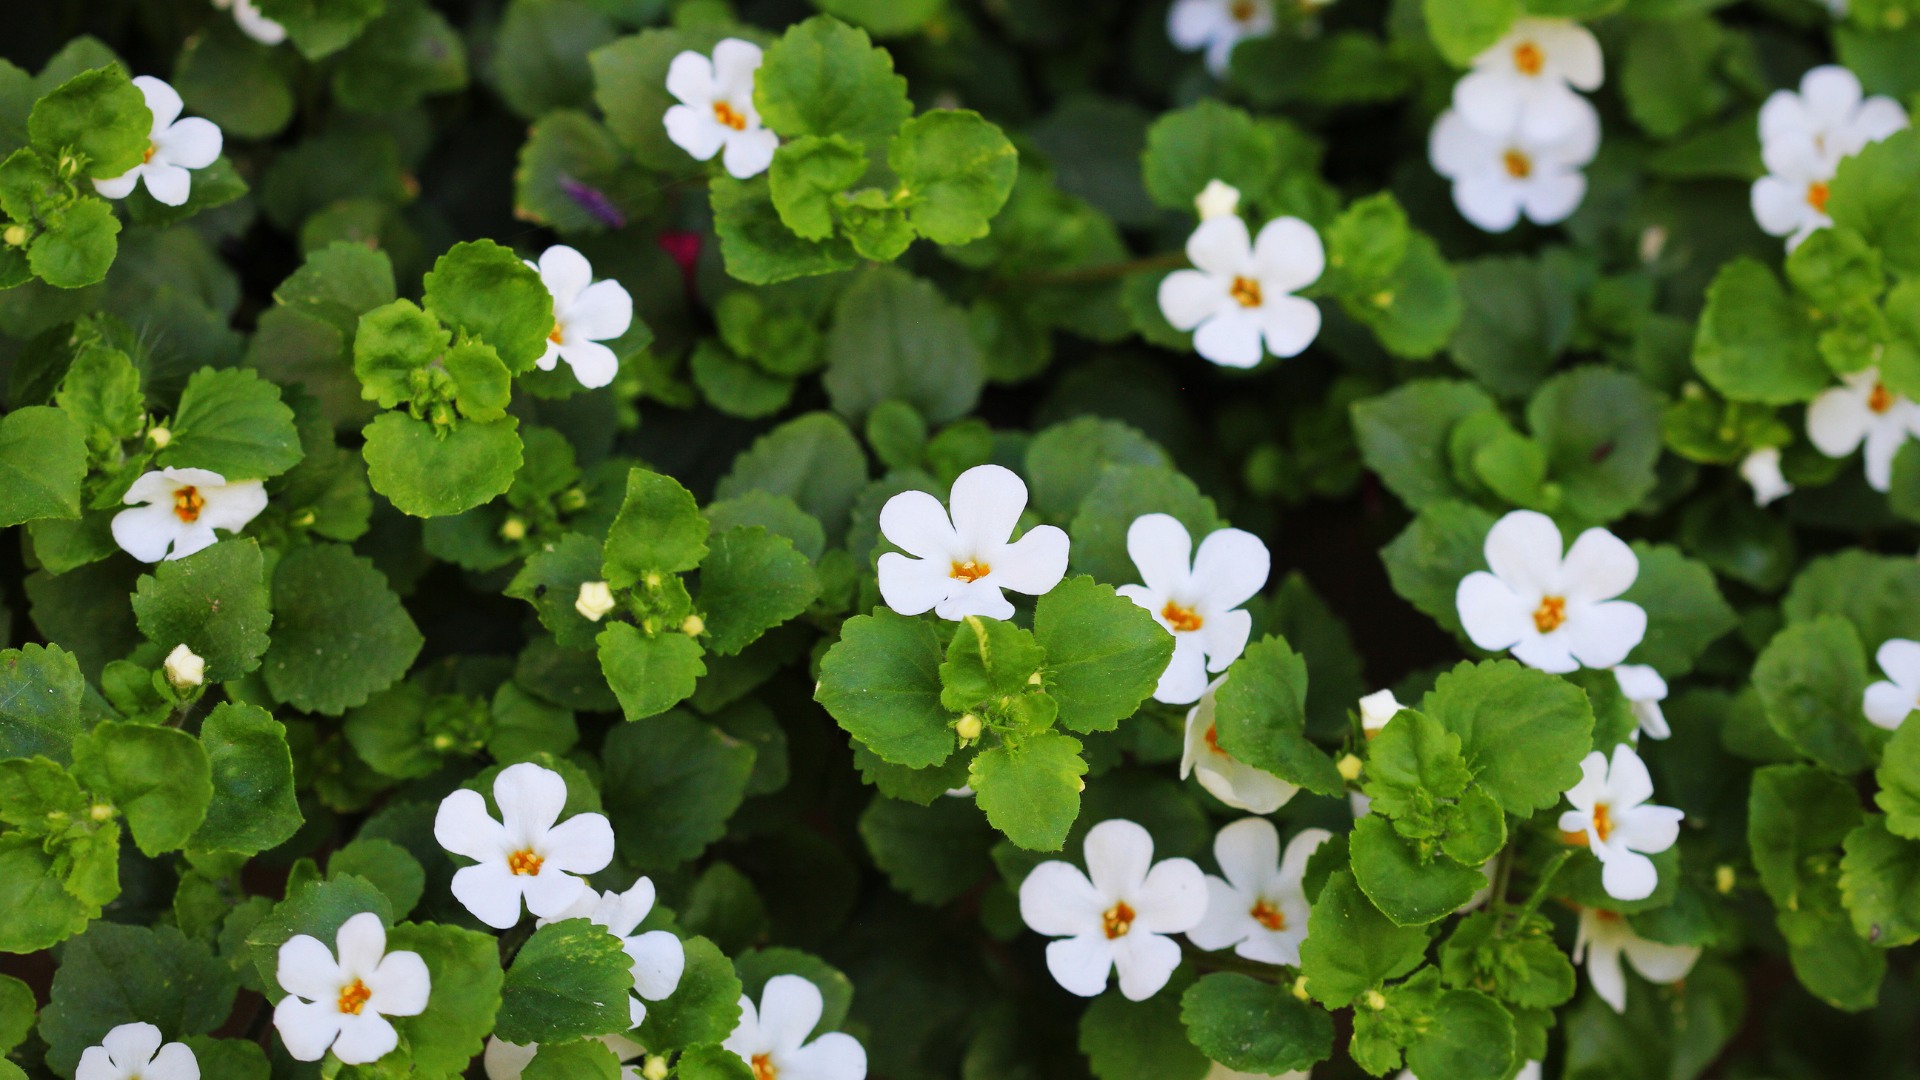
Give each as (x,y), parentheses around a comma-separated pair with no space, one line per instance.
(252,773)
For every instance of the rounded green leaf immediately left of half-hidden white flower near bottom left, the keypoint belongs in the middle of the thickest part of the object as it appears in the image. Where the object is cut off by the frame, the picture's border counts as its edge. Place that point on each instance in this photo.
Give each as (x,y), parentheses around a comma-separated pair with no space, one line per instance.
(571,979)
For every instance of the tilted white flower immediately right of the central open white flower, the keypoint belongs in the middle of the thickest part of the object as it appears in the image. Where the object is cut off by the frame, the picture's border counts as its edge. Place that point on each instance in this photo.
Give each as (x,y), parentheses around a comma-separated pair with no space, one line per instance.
(1197,599)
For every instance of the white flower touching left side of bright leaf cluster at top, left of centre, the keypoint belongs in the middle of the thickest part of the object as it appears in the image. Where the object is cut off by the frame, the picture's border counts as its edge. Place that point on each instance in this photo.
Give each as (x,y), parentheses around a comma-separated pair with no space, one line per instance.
(717,109)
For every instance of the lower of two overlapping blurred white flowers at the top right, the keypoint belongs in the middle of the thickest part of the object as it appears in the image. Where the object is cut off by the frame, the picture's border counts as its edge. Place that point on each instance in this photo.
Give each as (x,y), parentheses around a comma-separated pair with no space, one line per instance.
(1500,176)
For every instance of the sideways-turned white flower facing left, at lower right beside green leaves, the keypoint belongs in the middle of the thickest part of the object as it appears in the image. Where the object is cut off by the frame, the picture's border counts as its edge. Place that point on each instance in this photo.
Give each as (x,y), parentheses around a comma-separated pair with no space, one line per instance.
(1610,808)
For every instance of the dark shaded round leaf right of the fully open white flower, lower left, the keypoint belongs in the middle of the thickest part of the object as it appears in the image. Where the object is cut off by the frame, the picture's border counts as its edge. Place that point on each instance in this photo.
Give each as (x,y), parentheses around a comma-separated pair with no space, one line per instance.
(671,785)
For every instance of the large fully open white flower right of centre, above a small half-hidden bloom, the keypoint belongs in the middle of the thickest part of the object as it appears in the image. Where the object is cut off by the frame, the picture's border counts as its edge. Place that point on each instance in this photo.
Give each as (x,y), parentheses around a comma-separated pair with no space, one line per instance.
(1556,616)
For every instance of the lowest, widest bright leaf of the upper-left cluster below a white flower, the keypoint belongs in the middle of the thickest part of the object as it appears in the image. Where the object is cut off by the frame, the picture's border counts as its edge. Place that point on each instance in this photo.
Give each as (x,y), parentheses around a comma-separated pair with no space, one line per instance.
(439,472)
